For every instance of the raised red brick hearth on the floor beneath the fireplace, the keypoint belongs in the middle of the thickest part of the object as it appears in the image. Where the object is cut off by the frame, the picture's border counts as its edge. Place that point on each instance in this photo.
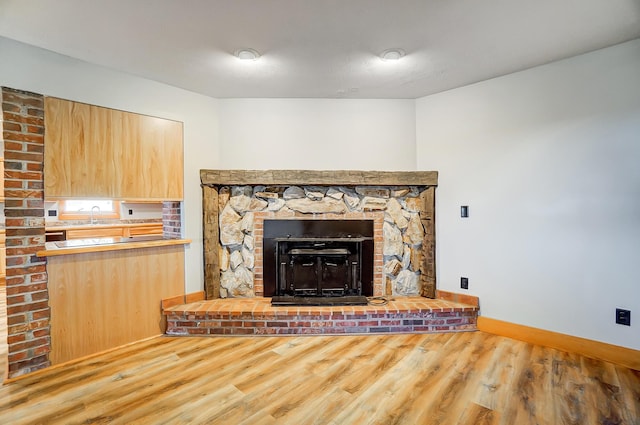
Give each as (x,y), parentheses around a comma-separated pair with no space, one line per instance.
(256,316)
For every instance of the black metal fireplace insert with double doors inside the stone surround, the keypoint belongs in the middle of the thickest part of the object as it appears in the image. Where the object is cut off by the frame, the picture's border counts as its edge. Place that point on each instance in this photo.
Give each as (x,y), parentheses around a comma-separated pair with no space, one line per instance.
(318,258)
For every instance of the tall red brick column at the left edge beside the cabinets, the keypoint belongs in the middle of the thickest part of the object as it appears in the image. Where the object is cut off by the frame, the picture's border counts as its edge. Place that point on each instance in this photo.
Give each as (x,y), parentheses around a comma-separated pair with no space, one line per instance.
(28,310)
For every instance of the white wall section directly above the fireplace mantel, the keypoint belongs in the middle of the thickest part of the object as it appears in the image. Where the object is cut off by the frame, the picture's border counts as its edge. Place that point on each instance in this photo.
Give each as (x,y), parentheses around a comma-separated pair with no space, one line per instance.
(317,134)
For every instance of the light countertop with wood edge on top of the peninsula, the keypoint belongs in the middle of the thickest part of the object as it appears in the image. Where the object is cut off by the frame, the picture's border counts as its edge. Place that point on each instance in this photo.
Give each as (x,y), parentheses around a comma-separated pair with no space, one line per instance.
(80,246)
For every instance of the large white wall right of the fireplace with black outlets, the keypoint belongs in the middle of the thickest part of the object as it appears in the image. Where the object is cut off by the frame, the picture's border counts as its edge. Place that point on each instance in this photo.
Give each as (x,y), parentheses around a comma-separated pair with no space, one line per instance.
(548,161)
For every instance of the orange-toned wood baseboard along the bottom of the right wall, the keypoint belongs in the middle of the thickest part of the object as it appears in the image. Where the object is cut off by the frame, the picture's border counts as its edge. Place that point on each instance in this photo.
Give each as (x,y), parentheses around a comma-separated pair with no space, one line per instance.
(623,356)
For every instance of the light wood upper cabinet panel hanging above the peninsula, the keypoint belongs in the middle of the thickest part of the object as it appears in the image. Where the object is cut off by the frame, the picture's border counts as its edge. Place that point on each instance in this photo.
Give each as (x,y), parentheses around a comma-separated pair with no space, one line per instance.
(91,151)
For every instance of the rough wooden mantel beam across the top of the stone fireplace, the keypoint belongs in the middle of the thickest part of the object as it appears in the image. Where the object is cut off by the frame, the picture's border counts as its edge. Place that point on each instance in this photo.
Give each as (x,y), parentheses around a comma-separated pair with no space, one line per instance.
(313,177)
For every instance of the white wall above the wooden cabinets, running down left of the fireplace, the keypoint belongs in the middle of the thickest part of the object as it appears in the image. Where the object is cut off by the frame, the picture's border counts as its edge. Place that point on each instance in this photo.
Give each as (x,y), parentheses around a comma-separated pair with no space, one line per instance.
(40,71)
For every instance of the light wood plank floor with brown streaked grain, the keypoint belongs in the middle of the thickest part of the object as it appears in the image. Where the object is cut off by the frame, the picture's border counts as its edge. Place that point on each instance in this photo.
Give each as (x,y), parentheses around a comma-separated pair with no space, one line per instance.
(457,378)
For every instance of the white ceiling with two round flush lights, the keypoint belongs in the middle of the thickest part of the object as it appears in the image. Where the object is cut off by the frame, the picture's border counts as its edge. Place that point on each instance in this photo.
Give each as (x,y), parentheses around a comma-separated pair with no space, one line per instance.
(320,48)
